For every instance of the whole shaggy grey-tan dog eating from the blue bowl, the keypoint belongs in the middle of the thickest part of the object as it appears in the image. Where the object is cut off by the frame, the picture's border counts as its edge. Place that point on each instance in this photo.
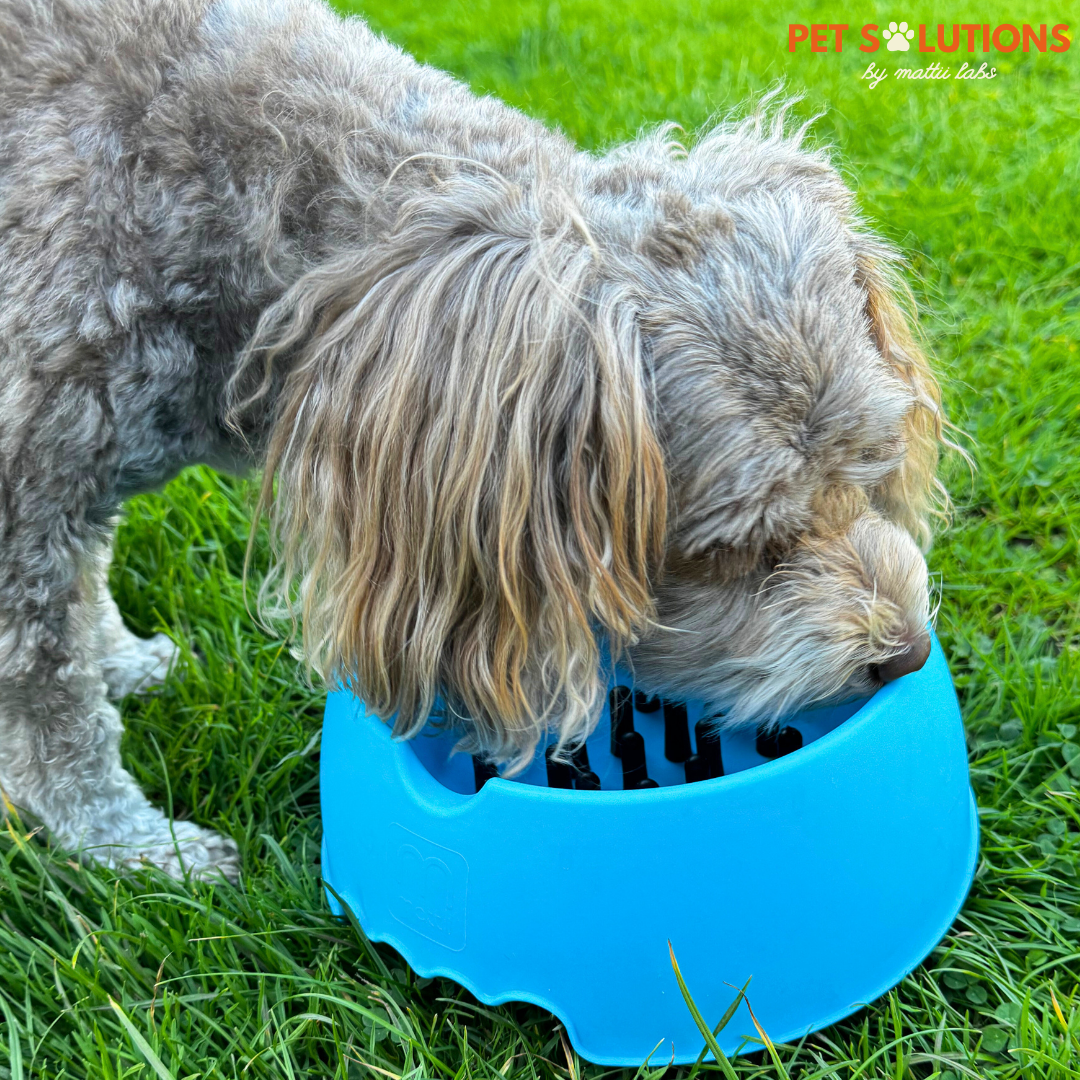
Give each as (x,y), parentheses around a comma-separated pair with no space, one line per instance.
(523,403)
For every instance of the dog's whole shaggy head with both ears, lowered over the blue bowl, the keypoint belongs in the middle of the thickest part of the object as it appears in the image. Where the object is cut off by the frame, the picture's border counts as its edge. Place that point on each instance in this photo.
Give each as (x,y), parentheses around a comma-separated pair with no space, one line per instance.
(664,402)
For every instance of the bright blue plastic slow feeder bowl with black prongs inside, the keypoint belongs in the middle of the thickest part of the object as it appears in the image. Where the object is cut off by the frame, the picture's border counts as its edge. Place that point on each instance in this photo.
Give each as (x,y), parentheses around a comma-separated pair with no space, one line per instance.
(826,865)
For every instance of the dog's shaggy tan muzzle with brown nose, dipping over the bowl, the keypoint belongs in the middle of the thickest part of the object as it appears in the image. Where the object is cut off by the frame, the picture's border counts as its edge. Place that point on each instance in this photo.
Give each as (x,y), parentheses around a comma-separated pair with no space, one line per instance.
(830,615)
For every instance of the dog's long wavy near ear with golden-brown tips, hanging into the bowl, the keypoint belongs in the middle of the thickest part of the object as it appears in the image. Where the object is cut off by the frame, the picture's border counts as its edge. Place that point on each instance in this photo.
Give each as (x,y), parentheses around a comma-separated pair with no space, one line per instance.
(470,490)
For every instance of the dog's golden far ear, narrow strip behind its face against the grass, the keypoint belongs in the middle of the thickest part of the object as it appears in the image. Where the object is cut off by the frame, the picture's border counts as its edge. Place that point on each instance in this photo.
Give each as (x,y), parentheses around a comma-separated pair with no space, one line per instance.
(912,495)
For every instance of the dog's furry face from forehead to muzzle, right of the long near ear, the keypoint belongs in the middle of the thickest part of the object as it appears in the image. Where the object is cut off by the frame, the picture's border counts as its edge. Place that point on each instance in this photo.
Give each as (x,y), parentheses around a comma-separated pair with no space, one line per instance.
(792,410)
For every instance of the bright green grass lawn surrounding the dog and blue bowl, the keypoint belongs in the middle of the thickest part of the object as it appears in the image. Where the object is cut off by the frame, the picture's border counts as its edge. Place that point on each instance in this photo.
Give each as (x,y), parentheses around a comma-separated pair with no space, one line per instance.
(978,182)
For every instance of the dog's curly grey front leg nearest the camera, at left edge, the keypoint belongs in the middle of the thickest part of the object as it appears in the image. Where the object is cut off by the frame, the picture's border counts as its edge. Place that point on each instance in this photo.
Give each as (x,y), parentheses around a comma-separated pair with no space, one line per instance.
(60,736)
